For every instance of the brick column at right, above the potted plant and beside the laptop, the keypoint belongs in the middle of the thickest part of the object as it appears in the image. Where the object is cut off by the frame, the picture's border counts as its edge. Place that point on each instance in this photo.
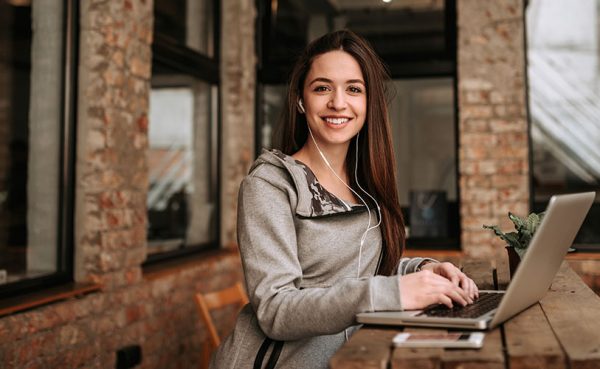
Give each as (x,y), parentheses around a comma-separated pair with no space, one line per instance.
(493,139)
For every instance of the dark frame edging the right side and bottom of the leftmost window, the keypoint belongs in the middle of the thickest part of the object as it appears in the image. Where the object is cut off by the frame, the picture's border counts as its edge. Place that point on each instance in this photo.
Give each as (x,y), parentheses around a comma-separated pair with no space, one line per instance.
(65,241)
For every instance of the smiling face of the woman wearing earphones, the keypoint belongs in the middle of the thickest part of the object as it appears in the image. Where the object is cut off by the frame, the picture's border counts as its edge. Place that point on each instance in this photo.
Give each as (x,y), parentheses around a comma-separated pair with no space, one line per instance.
(335,98)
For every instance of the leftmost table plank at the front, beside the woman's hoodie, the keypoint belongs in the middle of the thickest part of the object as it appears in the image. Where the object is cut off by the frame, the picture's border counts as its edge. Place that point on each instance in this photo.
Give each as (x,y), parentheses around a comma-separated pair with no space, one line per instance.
(368,348)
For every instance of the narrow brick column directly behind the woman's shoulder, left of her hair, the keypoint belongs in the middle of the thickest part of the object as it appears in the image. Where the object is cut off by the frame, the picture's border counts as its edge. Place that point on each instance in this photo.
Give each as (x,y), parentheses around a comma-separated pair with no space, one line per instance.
(238,60)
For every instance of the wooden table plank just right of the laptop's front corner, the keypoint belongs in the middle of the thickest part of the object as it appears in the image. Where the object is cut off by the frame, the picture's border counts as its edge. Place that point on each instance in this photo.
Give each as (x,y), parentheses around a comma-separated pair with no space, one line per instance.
(530,342)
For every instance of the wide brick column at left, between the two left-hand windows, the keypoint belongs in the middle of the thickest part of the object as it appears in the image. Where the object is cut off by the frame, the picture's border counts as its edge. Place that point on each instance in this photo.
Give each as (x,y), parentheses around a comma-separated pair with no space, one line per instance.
(114,83)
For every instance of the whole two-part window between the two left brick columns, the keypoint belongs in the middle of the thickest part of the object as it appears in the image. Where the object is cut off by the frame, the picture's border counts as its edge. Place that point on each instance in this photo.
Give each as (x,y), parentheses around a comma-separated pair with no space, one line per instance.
(183,132)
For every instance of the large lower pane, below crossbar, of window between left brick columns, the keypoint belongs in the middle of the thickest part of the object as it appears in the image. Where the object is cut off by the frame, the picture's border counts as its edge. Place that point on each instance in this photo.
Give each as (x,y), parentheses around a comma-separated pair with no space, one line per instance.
(181,198)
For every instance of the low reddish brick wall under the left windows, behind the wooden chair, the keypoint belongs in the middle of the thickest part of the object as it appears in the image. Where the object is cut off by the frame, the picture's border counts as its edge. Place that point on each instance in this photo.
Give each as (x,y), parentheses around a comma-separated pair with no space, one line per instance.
(156,313)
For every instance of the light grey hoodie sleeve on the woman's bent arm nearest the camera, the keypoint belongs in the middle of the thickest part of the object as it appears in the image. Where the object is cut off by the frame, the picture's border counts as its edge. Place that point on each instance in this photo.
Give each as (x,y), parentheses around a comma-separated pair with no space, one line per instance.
(267,240)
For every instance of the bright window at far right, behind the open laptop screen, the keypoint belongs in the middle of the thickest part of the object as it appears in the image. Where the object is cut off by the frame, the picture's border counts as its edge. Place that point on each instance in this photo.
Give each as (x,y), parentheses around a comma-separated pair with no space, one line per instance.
(563,55)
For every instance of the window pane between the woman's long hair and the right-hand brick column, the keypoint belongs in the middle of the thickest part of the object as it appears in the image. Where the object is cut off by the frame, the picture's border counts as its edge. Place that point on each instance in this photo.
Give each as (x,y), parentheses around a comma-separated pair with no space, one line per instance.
(424,135)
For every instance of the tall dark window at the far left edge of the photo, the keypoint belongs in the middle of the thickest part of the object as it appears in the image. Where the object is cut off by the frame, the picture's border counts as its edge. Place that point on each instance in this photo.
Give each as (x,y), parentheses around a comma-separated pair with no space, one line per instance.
(35,141)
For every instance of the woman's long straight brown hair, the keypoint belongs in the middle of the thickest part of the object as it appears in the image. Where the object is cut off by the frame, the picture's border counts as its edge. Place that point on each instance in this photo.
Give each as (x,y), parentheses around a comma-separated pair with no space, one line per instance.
(376,164)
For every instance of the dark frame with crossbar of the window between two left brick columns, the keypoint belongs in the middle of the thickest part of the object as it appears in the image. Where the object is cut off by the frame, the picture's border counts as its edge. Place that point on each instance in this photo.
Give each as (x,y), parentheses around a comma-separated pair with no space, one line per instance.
(207,69)
